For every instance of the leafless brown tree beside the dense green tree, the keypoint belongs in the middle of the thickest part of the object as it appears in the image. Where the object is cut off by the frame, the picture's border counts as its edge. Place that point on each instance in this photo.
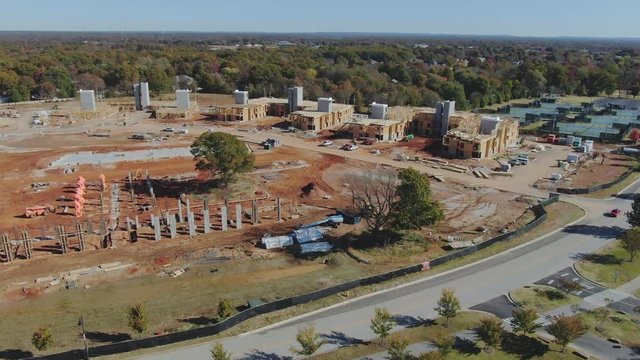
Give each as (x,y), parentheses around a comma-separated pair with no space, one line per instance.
(373,195)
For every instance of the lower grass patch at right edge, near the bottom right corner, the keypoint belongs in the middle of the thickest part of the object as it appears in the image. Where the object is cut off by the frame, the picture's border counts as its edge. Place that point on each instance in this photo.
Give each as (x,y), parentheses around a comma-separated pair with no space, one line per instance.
(616,326)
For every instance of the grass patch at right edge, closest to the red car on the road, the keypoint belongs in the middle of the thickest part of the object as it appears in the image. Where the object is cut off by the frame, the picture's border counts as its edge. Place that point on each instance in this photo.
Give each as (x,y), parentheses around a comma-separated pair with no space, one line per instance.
(609,266)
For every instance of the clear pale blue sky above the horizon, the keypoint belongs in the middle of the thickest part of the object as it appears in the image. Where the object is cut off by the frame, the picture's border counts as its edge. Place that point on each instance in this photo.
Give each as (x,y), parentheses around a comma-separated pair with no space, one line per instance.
(608,18)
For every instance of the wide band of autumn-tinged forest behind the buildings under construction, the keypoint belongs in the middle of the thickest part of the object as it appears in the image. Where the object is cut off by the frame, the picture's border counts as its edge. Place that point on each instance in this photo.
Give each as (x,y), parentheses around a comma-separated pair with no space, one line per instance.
(475,74)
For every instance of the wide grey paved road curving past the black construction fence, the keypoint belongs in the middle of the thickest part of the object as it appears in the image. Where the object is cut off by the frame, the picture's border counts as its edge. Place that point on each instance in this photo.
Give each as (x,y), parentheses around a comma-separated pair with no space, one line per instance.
(413,302)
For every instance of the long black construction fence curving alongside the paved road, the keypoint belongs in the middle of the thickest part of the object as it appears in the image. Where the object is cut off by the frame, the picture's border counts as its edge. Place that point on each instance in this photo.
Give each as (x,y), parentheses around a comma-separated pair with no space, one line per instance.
(131,345)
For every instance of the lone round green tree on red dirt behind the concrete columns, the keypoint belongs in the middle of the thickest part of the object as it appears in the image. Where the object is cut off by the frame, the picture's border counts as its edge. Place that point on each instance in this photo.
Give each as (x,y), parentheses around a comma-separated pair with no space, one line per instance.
(224,155)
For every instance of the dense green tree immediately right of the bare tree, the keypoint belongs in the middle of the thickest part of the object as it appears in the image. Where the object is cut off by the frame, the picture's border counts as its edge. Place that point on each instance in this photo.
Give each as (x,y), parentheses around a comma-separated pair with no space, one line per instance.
(414,207)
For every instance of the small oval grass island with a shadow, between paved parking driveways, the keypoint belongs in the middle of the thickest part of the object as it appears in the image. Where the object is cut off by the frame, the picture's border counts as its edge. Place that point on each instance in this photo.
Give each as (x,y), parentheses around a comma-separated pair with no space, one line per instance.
(542,298)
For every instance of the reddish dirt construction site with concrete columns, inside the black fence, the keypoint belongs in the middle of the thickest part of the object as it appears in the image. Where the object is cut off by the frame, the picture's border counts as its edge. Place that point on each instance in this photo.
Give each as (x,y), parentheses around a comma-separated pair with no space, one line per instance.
(103,207)
